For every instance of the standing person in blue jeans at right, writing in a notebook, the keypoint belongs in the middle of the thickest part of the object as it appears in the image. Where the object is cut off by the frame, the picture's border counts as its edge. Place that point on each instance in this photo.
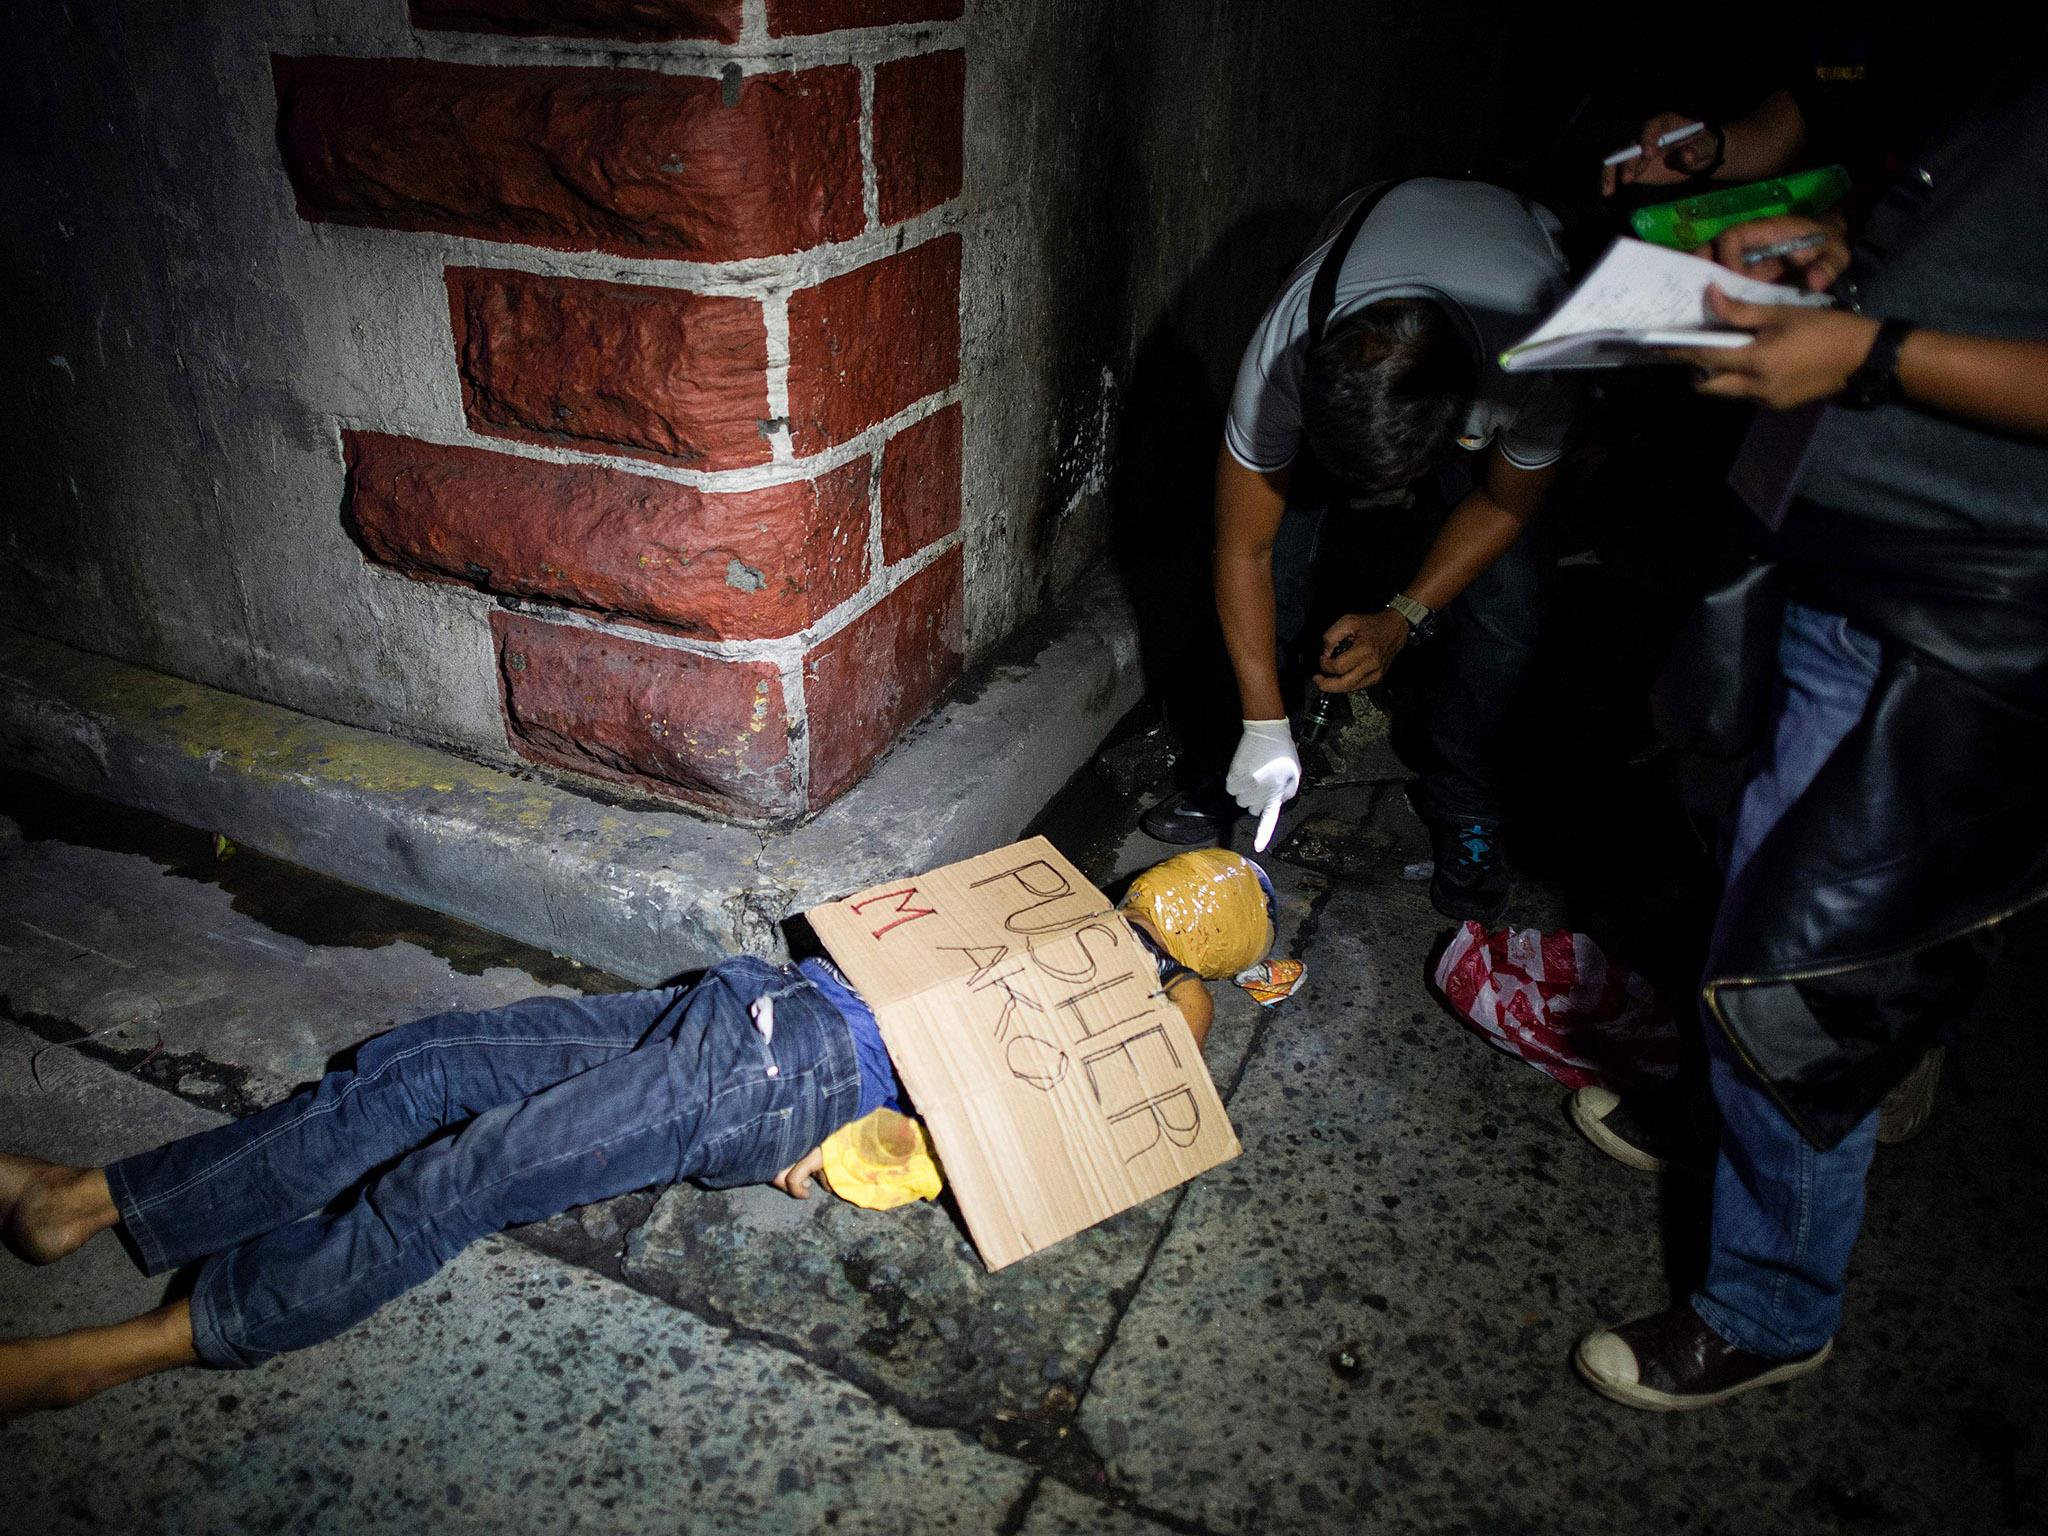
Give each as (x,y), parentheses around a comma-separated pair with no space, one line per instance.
(1893,812)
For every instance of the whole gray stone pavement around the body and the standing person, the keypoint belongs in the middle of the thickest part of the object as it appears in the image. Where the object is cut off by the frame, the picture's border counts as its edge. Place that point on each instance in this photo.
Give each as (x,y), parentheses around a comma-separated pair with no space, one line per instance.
(1363,1324)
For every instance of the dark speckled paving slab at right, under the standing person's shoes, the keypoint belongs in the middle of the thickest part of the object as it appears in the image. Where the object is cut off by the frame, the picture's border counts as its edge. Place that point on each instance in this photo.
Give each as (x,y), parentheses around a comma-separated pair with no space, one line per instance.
(1375,1308)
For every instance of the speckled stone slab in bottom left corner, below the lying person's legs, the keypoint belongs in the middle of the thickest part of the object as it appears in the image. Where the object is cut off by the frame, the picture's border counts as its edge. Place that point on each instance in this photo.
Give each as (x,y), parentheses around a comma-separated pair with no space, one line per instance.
(507,1396)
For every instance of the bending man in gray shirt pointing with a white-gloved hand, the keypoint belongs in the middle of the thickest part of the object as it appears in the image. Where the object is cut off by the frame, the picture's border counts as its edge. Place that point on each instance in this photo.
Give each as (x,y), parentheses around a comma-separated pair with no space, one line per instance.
(1379,361)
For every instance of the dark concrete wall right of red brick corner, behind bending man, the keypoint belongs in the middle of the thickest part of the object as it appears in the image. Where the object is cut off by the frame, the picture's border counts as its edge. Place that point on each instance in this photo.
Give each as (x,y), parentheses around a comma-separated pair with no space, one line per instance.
(1140,177)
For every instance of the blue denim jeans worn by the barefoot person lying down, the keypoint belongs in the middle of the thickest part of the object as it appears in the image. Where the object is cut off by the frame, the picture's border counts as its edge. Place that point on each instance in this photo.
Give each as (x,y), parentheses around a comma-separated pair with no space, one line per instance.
(462,1125)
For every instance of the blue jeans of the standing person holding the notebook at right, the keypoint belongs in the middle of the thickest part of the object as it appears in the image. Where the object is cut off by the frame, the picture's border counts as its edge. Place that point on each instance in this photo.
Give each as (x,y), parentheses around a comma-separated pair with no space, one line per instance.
(1785,1213)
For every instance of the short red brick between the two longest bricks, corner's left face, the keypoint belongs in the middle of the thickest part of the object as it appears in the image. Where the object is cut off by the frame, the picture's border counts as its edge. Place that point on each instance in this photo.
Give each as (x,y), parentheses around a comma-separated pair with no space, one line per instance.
(613,368)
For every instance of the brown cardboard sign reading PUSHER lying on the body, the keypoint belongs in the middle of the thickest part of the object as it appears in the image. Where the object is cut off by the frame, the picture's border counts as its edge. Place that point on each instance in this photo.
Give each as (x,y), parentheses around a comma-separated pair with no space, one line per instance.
(1058,1082)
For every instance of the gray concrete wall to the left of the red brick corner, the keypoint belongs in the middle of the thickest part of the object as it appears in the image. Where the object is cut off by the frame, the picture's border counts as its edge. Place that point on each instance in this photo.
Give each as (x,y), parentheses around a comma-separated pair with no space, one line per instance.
(185,349)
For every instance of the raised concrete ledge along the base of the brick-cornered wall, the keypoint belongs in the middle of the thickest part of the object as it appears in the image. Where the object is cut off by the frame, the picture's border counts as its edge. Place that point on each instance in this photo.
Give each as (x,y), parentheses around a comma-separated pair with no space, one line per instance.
(636,886)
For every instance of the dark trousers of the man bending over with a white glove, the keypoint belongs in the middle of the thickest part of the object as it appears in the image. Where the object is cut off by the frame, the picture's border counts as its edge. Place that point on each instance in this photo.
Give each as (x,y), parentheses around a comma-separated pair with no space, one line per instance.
(1488,638)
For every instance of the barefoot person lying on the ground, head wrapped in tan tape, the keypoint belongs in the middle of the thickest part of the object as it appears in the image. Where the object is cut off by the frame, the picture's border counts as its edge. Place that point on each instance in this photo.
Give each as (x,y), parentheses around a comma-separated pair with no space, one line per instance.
(314,1213)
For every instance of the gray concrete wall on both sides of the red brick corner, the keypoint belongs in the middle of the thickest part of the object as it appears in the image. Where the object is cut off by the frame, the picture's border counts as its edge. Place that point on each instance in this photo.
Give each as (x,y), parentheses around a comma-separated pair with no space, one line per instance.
(181,349)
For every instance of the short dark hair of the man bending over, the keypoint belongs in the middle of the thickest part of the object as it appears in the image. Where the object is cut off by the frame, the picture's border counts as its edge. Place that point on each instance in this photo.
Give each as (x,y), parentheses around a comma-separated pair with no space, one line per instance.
(1385,392)
